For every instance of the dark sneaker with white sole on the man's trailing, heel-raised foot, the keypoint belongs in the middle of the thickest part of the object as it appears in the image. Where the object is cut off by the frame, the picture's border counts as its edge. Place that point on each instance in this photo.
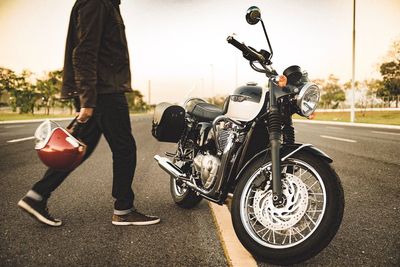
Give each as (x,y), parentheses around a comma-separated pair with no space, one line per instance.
(38,210)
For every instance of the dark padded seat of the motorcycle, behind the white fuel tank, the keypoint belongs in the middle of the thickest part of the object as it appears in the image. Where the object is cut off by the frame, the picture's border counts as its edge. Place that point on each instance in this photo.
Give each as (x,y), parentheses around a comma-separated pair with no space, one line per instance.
(202,110)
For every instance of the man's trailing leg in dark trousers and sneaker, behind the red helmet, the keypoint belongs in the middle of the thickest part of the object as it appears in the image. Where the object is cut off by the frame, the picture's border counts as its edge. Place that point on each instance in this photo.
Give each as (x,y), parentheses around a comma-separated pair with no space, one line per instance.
(35,201)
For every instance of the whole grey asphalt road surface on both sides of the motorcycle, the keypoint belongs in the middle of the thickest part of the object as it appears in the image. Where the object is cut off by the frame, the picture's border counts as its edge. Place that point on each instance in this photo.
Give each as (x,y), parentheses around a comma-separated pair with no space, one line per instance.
(366,159)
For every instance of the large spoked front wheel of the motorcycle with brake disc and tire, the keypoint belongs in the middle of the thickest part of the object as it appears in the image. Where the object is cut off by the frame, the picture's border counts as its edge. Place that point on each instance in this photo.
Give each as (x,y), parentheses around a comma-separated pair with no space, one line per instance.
(303,225)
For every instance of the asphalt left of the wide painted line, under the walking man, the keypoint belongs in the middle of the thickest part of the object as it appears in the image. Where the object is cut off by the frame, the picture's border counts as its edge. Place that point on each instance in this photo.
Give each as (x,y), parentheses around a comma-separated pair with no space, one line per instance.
(84,202)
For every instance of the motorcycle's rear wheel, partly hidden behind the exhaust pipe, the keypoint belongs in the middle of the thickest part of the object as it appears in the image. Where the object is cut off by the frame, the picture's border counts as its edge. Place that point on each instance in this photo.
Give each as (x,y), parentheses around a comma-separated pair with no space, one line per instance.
(183,196)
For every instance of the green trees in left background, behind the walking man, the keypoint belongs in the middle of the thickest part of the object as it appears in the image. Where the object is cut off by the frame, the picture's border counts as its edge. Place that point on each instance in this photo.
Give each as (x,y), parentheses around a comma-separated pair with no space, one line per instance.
(24,93)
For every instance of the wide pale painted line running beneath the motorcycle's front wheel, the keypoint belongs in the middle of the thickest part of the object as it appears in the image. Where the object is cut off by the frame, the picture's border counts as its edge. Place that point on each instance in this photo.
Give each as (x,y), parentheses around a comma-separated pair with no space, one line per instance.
(235,253)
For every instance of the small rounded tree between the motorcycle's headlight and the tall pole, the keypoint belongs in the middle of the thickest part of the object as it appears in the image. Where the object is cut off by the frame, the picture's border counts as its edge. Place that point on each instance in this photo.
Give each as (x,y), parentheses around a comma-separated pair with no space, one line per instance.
(332,92)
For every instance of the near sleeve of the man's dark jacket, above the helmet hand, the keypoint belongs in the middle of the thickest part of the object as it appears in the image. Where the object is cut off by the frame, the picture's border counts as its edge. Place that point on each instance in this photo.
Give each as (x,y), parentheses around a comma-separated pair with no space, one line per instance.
(89,29)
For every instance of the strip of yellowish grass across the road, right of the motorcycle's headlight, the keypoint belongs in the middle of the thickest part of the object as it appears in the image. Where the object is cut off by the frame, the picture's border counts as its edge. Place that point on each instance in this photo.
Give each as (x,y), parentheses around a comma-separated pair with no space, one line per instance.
(377,117)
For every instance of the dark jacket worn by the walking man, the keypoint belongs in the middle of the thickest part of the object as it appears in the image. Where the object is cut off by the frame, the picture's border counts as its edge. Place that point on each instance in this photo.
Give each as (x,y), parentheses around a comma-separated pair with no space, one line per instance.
(96,54)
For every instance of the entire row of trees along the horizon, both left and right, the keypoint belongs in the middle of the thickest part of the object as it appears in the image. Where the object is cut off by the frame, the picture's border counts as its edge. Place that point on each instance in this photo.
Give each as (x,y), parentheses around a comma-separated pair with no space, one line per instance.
(28,94)
